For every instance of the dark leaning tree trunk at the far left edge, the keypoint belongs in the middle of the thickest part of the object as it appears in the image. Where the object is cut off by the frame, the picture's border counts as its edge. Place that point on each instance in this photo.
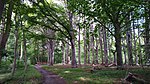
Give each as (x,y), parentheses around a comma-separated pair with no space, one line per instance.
(6,33)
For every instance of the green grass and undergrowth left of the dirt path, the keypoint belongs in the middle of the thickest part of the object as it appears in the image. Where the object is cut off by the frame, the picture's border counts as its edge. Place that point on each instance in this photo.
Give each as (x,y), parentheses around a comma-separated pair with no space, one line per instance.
(32,76)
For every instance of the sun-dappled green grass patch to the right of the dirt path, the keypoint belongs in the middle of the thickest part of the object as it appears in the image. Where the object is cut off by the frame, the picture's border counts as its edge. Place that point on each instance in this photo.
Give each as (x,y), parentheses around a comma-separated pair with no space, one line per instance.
(83,75)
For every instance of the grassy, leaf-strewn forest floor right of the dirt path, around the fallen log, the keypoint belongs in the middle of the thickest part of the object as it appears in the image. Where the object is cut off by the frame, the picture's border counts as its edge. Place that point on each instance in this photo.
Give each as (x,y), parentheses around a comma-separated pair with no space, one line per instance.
(103,75)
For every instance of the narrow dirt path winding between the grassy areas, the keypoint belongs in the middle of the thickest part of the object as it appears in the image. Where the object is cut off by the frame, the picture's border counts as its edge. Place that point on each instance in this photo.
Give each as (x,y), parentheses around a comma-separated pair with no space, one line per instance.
(49,77)
